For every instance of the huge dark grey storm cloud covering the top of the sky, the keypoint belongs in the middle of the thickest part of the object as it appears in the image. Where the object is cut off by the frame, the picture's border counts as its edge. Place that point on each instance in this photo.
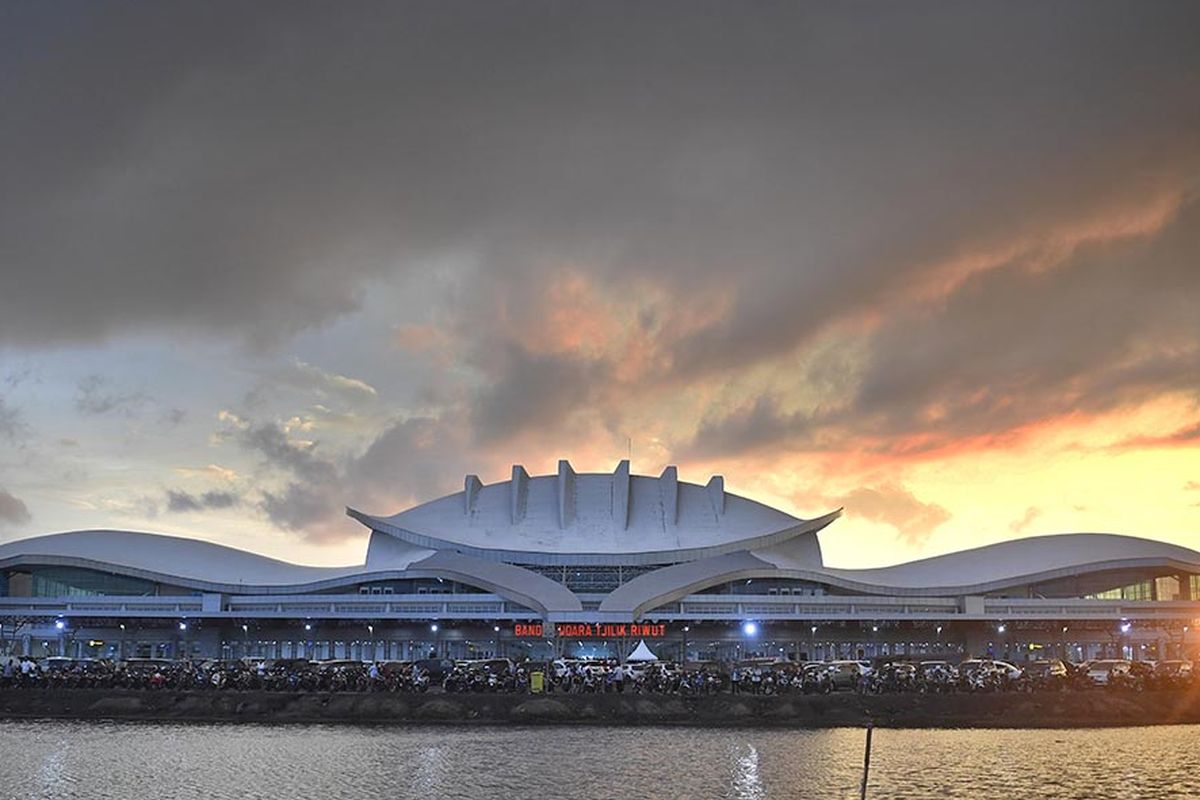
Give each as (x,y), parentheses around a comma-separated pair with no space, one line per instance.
(248,167)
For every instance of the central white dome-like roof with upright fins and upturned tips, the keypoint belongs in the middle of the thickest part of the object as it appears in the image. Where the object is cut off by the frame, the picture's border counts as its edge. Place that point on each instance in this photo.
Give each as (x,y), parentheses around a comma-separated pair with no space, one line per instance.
(597,518)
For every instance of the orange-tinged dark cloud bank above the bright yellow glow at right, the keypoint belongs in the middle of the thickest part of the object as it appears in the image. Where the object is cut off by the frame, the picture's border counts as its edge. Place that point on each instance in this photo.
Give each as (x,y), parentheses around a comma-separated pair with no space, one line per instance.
(1108,328)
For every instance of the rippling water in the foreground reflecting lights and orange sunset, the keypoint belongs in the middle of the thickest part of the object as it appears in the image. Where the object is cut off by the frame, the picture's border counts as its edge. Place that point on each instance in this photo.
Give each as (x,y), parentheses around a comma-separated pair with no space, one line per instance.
(134,761)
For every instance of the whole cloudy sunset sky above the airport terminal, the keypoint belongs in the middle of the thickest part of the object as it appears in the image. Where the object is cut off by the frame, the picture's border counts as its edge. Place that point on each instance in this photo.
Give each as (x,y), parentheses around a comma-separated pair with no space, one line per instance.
(935,263)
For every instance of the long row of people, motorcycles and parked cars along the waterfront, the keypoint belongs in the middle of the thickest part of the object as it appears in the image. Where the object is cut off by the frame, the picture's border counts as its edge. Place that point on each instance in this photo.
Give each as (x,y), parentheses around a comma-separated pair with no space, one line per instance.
(587,677)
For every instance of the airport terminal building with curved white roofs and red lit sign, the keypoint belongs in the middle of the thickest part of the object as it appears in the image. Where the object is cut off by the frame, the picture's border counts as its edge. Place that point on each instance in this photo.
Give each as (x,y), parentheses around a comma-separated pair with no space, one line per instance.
(590,566)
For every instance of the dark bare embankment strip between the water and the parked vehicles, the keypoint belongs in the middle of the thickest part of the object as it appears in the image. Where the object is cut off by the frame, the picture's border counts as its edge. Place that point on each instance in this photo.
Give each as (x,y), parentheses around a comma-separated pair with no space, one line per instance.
(1011,711)
